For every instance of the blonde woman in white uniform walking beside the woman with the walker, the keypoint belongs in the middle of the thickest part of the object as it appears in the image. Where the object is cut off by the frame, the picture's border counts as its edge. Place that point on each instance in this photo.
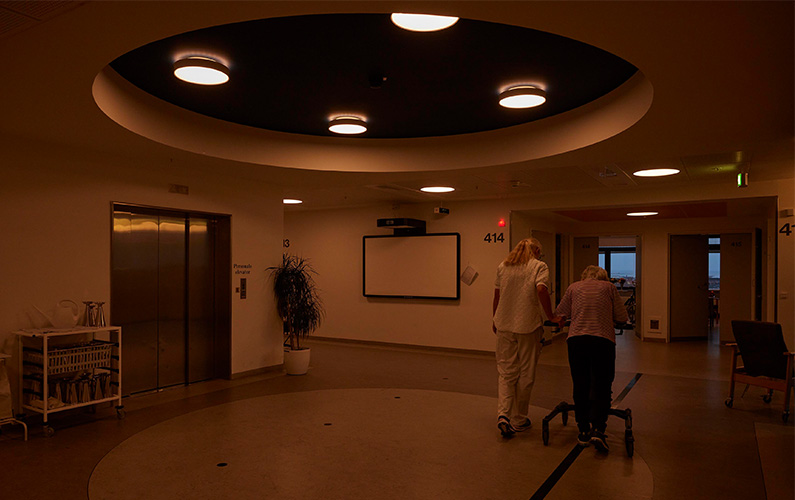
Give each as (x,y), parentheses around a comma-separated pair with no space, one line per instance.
(521,298)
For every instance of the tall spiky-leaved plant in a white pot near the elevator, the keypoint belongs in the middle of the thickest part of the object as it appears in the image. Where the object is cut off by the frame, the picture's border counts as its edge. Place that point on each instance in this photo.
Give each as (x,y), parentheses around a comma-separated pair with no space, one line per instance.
(298,304)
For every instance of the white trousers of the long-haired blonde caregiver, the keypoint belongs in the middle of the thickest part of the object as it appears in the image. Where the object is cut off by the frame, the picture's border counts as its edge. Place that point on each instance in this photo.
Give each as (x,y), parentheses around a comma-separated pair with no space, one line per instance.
(517,356)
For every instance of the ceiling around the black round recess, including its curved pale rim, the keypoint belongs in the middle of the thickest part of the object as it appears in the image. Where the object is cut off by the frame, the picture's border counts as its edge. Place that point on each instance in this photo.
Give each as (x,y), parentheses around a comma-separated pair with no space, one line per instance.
(712,95)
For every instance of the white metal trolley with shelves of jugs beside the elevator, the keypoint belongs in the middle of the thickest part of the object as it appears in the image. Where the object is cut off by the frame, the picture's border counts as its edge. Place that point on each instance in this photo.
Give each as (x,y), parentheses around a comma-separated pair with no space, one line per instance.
(63,369)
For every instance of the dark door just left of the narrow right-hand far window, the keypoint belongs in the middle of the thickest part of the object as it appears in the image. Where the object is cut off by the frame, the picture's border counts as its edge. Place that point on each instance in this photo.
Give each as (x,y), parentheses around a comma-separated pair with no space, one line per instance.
(689,287)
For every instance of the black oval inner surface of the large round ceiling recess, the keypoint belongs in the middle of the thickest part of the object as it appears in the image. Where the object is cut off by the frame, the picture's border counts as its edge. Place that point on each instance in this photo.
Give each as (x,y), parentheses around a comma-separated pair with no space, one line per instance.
(296,74)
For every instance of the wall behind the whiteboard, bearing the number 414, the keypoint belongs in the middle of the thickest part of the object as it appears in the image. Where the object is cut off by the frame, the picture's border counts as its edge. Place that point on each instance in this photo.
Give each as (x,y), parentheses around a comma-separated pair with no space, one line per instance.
(332,240)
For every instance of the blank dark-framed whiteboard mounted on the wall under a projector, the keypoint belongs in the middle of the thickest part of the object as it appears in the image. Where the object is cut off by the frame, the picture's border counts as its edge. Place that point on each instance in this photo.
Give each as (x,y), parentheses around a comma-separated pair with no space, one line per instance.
(412,266)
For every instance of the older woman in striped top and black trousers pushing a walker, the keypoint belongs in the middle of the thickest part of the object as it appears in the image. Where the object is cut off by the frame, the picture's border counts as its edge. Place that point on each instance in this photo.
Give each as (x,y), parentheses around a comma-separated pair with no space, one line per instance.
(594,306)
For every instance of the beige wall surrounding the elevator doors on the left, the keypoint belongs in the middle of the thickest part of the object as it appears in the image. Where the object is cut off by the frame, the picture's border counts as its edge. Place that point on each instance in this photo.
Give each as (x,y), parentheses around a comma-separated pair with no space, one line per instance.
(56,226)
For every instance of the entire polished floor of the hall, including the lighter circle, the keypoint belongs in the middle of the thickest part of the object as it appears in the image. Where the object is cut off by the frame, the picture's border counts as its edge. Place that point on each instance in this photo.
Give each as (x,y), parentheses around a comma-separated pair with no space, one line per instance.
(384,422)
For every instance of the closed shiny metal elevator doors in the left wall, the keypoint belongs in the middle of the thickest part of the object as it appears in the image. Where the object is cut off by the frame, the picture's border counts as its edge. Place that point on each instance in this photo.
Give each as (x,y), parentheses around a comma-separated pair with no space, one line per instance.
(171,294)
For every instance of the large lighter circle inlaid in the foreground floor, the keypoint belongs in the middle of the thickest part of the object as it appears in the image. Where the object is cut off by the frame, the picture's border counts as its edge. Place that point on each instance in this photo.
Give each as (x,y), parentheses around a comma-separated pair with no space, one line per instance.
(359,444)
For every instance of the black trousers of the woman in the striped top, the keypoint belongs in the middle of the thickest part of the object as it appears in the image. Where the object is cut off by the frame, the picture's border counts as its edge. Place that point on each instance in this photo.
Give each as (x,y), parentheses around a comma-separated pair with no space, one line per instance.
(592,361)
